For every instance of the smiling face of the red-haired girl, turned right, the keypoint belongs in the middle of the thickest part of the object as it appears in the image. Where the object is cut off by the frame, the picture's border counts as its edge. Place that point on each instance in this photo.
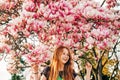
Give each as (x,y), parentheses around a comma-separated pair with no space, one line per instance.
(64,56)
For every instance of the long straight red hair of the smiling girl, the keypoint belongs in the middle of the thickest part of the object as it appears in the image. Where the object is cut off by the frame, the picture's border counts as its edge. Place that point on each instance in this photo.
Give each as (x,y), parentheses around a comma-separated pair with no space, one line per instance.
(55,65)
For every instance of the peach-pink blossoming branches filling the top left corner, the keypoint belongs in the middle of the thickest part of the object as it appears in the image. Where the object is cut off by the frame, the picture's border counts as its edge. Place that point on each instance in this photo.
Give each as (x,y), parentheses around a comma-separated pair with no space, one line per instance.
(9,9)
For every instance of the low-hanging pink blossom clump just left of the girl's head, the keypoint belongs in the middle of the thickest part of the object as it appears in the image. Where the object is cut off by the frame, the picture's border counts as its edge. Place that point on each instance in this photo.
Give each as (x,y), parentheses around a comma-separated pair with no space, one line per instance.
(38,55)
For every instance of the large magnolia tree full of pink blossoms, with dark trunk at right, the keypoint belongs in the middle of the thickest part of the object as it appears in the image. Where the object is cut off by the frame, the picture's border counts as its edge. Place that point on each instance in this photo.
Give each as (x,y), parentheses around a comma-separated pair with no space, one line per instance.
(91,29)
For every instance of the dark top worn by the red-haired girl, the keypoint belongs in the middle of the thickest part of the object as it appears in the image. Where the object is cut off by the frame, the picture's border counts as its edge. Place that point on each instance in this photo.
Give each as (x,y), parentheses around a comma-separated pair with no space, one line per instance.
(46,73)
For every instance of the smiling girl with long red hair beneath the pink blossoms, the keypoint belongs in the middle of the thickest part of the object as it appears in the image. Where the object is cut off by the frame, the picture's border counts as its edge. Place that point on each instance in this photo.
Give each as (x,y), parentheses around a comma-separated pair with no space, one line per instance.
(61,67)
